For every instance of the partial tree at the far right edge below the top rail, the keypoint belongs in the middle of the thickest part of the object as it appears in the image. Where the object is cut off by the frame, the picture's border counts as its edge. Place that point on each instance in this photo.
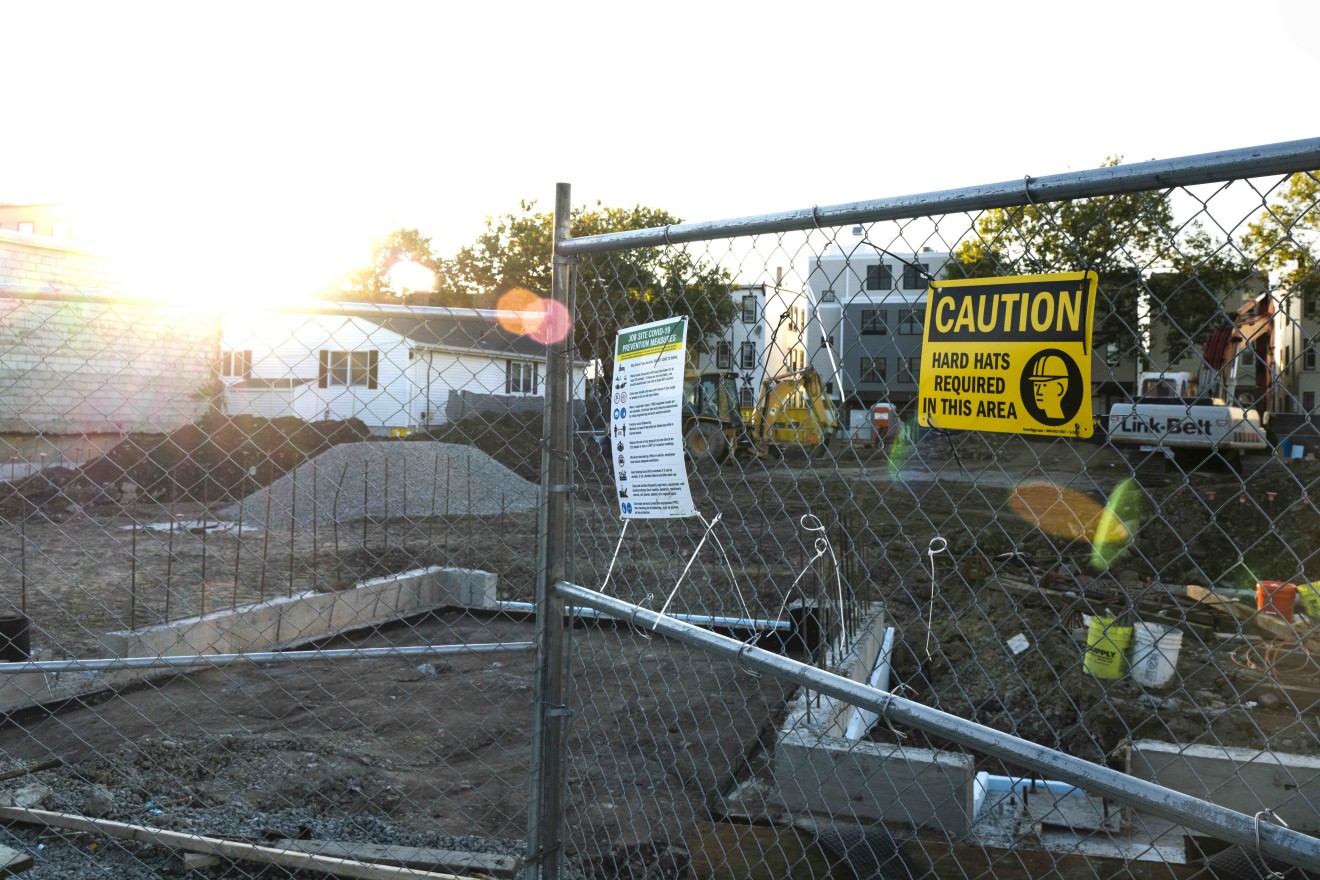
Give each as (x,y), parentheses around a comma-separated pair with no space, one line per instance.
(1284,238)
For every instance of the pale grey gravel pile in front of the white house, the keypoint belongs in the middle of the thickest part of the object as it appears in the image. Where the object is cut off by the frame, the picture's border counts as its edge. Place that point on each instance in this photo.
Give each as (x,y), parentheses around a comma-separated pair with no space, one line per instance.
(387,480)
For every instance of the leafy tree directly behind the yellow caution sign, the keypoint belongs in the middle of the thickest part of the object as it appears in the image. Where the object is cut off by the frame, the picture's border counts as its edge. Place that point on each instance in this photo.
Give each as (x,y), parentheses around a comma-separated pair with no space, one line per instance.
(1146,263)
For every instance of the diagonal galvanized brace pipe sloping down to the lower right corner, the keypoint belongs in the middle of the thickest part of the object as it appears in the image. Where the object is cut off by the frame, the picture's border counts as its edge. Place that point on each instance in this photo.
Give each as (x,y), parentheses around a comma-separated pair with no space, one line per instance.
(1220,823)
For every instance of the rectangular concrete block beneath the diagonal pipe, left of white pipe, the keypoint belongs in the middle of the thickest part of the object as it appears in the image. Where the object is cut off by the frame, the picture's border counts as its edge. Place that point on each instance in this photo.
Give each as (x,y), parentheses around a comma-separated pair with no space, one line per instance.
(867,782)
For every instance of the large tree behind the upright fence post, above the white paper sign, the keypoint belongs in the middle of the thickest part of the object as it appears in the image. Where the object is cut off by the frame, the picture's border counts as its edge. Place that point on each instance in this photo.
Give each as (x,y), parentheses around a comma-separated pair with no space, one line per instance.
(613,291)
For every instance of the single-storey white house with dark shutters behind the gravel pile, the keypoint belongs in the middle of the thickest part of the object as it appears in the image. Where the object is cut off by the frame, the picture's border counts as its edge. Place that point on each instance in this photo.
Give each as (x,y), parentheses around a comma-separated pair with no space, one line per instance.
(406,370)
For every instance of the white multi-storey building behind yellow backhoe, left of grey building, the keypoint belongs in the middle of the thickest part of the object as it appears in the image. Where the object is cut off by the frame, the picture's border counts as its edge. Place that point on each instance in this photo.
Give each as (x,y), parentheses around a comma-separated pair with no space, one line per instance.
(766,338)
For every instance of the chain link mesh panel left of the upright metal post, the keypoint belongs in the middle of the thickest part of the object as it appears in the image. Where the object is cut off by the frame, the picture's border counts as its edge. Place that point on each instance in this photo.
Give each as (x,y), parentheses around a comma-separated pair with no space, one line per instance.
(287,487)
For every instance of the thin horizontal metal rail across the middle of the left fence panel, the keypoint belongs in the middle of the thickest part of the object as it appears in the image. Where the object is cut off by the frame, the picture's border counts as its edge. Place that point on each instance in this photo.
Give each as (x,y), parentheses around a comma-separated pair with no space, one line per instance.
(185,662)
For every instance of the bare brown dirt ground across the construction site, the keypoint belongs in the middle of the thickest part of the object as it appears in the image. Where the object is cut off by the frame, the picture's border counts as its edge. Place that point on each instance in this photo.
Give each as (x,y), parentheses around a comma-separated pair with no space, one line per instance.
(659,729)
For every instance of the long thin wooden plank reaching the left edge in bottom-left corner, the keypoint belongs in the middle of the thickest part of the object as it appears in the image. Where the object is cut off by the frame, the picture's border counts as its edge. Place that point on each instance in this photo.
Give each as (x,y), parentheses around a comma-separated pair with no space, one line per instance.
(328,866)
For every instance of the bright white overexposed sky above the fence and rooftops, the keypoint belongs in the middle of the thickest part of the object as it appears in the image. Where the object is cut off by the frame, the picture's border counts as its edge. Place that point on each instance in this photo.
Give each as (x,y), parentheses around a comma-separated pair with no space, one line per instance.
(262,146)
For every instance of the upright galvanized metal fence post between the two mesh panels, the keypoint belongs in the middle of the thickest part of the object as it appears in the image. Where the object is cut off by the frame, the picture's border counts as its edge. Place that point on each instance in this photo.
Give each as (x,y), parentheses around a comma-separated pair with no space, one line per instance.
(546,805)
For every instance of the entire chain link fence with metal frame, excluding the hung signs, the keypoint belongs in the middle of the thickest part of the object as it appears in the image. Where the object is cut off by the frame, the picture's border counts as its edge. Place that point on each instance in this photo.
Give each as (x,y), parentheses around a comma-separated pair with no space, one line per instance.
(345,592)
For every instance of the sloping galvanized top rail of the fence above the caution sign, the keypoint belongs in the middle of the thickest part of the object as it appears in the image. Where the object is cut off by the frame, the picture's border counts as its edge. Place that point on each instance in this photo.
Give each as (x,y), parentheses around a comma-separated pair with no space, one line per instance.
(1189,171)
